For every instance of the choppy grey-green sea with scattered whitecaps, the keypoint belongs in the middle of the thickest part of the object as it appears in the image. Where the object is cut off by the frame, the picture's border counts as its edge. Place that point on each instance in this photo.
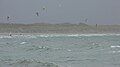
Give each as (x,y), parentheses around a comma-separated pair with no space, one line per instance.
(60,50)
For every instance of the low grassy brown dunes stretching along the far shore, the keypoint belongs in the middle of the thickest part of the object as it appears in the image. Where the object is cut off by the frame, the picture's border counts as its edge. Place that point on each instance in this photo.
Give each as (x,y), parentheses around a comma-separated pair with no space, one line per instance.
(65,28)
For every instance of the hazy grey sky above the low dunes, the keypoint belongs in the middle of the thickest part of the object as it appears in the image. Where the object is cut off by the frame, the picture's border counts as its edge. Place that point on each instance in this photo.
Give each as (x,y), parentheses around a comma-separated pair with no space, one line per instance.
(60,11)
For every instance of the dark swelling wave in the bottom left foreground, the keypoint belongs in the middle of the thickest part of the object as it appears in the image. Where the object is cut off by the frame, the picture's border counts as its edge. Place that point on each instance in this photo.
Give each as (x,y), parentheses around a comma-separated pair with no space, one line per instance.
(27,63)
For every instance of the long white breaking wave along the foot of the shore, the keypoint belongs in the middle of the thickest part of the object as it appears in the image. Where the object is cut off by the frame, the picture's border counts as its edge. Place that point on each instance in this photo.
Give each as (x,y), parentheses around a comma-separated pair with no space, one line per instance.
(54,35)
